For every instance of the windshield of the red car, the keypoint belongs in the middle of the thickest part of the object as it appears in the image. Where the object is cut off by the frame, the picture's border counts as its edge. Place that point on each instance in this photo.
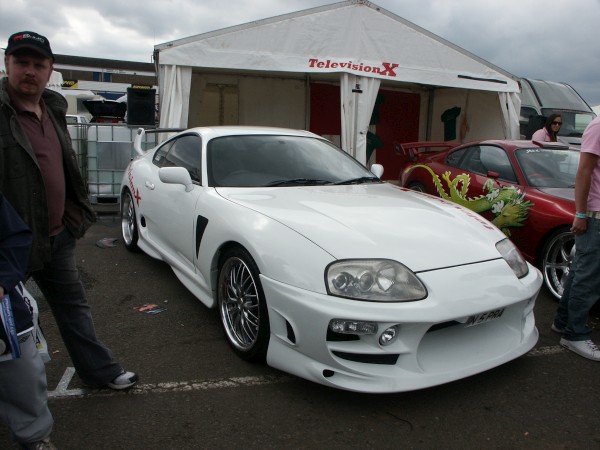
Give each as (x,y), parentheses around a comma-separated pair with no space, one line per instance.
(549,168)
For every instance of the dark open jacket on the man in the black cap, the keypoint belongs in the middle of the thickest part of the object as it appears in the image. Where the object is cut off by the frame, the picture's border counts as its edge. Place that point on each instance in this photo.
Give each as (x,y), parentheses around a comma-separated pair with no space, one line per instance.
(21,180)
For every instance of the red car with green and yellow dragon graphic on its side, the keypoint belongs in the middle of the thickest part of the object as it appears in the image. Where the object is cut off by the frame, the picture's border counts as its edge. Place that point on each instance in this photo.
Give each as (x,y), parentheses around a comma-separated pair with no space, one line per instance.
(525,188)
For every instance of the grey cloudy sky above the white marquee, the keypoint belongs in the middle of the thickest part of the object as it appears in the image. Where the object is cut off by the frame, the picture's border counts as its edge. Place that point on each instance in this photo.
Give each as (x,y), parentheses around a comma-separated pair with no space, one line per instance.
(547,39)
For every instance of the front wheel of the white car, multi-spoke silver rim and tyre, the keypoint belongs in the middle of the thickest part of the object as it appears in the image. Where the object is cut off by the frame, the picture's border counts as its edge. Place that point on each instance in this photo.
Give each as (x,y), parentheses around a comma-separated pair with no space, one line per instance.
(242,305)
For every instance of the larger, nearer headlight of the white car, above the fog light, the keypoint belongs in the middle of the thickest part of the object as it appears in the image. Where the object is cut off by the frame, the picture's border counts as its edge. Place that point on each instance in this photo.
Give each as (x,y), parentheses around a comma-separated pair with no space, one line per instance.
(377,280)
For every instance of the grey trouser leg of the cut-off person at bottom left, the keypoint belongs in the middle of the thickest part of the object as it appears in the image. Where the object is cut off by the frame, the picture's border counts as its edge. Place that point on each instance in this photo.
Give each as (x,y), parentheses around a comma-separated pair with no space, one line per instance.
(24,396)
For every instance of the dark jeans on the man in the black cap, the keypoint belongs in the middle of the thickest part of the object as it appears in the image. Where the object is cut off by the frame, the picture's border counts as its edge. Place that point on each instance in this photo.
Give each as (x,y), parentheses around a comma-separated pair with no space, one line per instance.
(60,283)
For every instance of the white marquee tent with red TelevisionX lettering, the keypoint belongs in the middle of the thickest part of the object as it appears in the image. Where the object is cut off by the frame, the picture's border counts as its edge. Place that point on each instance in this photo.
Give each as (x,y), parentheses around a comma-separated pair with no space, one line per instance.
(355,45)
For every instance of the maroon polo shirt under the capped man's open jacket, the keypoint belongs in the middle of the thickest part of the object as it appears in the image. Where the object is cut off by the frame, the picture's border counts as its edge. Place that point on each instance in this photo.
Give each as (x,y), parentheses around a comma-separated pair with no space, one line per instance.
(46,146)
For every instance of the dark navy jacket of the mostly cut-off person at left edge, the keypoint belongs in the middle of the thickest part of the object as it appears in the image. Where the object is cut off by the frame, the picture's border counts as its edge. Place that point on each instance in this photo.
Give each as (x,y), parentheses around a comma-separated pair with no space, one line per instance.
(15,242)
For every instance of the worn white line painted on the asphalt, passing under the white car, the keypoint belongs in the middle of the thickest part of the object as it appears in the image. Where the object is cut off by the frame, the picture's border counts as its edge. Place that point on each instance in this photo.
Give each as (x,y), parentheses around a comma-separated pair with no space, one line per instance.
(62,389)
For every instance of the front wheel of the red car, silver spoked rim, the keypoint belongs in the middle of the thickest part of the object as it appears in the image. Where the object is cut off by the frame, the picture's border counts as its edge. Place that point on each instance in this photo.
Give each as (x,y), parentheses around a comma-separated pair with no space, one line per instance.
(557,255)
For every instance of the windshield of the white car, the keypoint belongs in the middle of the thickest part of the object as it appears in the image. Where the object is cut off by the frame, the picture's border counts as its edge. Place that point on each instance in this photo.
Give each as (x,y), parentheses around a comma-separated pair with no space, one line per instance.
(274,160)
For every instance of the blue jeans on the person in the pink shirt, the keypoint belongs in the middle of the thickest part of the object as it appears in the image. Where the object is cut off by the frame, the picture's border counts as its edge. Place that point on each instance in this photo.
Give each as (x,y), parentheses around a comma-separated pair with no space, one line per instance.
(582,288)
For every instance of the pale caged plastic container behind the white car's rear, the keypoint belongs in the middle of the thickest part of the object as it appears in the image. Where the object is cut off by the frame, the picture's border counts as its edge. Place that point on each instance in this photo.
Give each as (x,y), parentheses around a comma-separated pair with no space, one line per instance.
(109,150)
